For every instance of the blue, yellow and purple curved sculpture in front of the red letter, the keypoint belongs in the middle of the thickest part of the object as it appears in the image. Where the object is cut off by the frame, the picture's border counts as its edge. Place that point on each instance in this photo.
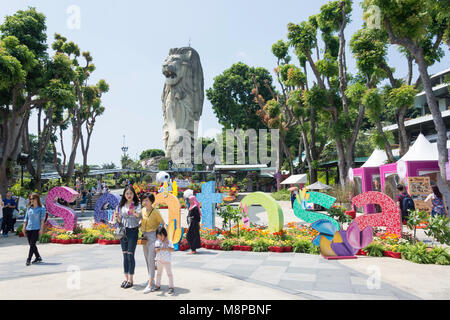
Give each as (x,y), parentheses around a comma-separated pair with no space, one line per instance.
(332,242)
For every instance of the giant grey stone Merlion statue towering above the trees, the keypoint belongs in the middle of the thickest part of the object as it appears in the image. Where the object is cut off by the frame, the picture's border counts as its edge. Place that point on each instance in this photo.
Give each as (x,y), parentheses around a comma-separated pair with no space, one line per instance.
(182,97)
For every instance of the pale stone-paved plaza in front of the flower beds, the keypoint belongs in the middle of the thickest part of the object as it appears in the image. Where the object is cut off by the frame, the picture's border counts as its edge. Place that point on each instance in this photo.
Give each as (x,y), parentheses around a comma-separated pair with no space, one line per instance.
(213,275)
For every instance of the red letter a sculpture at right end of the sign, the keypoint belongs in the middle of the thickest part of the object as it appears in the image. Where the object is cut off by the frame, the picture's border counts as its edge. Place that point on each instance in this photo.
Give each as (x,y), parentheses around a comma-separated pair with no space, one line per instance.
(389,216)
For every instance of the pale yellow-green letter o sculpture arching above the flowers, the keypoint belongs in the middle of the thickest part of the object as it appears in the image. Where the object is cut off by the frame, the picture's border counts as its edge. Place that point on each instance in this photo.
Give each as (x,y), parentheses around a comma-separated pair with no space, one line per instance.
(273,209)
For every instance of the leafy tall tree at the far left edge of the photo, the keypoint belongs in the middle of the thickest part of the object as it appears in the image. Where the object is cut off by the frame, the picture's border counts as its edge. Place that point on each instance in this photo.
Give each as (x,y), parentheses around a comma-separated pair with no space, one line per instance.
(24,73)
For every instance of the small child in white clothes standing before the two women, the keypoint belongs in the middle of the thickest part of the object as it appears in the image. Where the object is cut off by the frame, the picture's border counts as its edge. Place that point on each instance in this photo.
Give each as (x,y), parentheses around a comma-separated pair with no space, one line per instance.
(163,249)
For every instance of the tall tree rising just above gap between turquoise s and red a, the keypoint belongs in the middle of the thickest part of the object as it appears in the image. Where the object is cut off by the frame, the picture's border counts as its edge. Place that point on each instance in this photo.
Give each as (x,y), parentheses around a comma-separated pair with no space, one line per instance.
(331,75)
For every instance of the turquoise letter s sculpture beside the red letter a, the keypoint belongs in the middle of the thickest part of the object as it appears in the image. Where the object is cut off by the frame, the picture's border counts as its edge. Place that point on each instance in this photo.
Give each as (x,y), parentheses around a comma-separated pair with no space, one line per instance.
(321,199)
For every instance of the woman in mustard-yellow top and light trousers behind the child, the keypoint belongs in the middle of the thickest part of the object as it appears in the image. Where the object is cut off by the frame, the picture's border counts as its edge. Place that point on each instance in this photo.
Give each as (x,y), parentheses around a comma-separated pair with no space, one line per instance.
(151,220)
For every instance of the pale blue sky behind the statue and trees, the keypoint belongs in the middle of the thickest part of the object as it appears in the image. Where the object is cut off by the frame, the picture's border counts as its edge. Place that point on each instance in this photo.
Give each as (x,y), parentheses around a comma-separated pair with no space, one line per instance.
(129,41)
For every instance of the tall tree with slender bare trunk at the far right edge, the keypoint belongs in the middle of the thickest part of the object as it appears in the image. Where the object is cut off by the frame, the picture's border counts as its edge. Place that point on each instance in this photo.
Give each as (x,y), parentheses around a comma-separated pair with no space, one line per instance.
(420,26)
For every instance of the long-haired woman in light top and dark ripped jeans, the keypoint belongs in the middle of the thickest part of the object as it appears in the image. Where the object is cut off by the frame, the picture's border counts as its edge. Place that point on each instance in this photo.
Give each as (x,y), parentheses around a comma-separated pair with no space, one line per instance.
(129,214)
